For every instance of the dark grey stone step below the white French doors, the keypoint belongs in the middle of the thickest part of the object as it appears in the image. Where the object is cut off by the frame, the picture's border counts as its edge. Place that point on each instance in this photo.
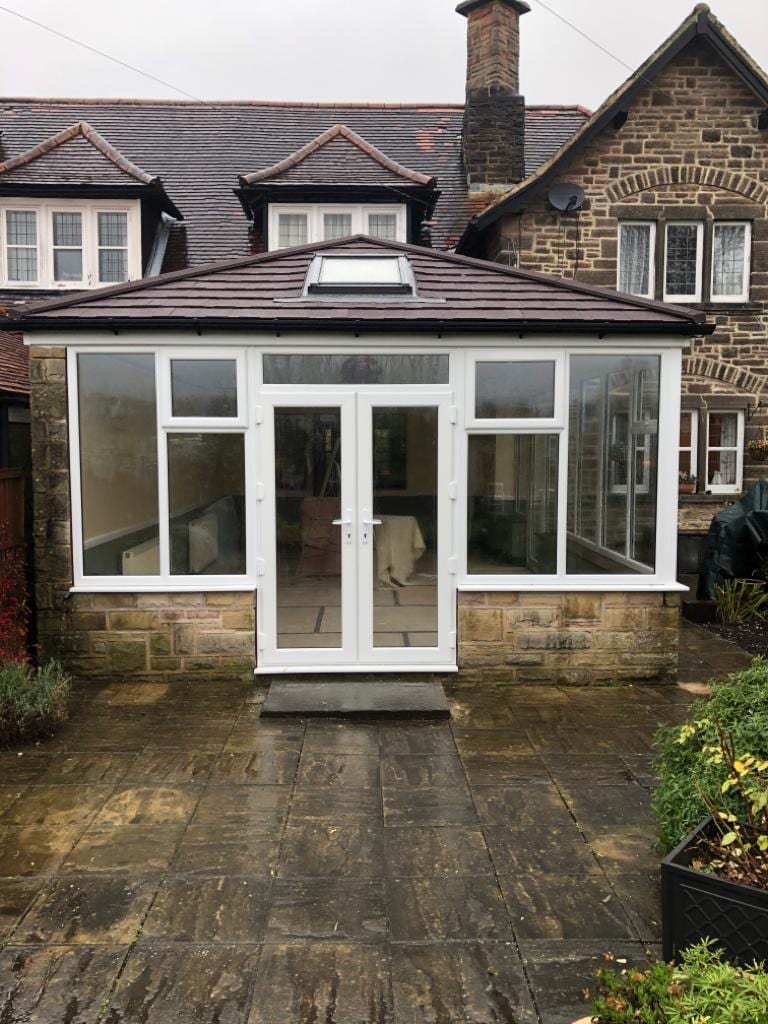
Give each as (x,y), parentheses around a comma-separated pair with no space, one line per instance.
(351,700)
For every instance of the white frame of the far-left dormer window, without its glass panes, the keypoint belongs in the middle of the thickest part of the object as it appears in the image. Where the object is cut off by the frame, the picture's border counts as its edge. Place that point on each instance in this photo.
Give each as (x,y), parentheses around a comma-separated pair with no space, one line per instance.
(90,211)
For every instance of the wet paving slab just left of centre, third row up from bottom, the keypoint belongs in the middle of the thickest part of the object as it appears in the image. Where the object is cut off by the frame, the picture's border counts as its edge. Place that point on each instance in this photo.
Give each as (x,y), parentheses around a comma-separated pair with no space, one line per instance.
(331,850)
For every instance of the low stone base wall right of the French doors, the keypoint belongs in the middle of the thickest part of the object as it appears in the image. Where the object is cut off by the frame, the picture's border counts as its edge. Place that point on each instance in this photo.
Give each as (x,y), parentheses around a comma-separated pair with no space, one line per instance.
(569,639)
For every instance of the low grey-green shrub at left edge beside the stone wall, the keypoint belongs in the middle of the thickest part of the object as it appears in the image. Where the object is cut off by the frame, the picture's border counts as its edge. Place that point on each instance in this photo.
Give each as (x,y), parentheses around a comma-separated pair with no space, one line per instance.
(33,702)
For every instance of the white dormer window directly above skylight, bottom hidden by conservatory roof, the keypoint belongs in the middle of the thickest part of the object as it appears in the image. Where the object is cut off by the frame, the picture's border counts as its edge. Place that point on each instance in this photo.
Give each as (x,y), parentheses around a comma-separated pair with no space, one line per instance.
(302,225)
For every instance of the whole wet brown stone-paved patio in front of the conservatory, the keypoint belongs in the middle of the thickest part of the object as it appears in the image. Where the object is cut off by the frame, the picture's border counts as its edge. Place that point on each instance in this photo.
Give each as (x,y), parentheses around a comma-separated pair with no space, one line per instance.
(173,858)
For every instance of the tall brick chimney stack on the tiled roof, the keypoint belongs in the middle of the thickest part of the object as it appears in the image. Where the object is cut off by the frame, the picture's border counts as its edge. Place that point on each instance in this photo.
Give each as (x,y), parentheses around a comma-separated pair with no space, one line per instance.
(495,113)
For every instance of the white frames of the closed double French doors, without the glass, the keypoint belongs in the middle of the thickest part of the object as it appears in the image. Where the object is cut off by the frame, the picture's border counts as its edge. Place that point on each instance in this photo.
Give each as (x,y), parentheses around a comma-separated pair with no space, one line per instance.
(357,653)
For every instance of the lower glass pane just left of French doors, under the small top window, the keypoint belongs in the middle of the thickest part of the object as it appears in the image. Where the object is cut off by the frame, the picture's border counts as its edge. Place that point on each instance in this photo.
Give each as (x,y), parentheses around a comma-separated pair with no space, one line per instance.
(206,501)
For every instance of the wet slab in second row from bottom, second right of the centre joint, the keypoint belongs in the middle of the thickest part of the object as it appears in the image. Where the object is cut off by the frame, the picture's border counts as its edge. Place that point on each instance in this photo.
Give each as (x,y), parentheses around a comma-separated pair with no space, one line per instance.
(552,907)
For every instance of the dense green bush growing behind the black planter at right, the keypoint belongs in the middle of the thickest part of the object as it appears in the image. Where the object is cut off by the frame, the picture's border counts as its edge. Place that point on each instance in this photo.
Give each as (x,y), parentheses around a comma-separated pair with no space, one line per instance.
(739,707)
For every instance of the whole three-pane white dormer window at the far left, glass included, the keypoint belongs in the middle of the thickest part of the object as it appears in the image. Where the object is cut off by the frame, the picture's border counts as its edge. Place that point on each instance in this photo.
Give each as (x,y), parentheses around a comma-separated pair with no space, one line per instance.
(64,244)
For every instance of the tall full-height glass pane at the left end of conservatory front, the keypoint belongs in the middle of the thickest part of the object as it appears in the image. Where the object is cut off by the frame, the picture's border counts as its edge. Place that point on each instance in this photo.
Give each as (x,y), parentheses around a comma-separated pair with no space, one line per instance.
(119,464)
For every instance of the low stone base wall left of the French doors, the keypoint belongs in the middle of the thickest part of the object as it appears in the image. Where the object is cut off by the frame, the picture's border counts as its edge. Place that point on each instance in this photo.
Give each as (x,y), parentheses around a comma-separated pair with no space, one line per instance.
(158,637)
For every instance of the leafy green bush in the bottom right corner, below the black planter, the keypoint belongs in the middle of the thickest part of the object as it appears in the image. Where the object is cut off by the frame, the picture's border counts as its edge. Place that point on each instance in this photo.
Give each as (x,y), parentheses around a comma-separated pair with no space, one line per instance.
(705,990)
